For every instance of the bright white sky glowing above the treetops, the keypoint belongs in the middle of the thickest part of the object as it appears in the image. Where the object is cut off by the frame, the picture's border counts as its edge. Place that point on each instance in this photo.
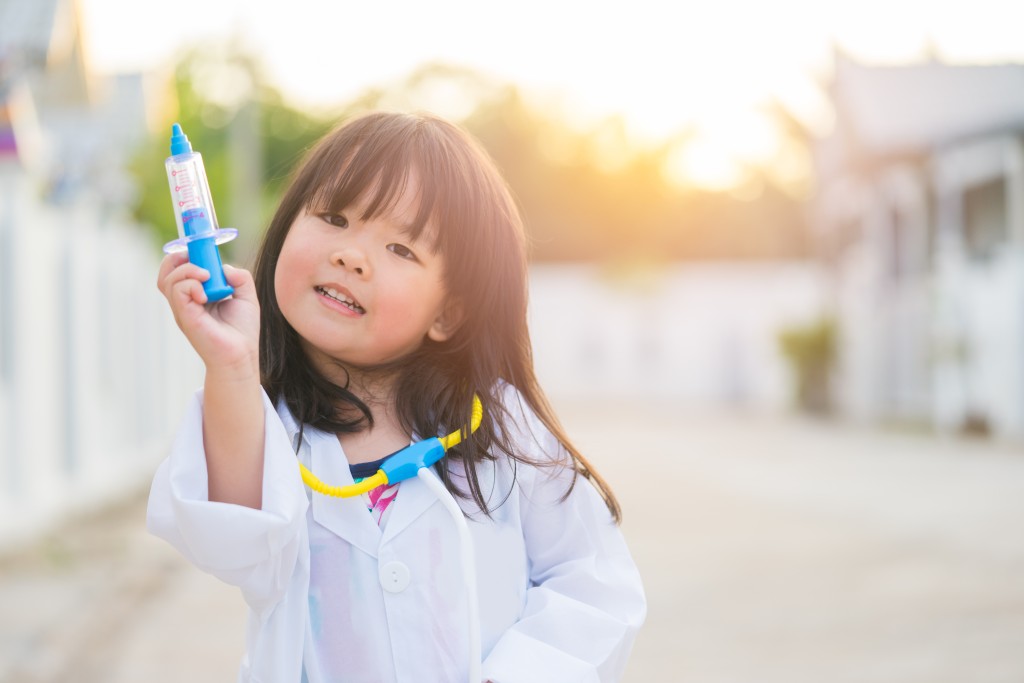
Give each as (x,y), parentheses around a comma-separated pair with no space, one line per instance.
(661,65)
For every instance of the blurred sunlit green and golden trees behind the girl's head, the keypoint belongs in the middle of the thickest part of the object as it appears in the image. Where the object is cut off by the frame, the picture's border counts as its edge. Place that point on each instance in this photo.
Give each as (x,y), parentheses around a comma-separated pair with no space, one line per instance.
(586,195)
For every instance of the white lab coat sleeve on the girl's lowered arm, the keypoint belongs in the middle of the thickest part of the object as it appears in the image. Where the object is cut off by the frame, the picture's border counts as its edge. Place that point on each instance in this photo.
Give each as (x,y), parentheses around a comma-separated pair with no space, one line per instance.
(586,602)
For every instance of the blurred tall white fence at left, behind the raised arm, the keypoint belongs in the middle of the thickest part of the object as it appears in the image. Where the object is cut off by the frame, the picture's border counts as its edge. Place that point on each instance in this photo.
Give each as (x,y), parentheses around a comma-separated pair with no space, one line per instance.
(94,375)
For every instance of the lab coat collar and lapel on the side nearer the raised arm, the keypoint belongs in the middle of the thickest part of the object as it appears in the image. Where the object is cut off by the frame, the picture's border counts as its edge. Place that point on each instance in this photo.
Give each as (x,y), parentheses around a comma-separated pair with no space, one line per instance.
(347,518)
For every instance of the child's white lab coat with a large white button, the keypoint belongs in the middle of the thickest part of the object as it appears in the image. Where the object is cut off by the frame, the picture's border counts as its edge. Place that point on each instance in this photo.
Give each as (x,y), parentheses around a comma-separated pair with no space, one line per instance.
(560,595)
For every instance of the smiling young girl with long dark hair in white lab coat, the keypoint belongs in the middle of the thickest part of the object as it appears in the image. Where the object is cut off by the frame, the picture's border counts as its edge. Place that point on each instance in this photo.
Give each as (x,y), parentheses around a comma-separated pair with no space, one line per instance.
(391,294)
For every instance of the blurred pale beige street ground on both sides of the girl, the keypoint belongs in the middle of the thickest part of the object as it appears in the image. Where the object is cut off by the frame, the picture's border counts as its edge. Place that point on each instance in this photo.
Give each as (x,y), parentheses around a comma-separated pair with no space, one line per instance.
(775,549)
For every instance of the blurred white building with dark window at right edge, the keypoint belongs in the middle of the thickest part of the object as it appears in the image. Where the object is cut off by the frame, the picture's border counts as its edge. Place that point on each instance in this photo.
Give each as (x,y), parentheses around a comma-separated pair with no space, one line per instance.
(921,221)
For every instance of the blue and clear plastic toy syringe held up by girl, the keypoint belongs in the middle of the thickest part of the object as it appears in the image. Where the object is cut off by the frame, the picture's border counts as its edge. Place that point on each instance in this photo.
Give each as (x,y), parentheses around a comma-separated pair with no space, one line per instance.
(198,231)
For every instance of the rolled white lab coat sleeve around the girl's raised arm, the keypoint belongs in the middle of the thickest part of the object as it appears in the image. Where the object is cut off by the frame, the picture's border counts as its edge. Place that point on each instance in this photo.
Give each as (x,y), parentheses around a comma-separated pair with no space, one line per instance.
(255,550)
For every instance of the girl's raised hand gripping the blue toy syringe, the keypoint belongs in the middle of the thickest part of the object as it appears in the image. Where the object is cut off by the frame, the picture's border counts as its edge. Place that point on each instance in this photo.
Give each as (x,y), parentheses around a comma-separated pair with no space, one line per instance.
(226,334)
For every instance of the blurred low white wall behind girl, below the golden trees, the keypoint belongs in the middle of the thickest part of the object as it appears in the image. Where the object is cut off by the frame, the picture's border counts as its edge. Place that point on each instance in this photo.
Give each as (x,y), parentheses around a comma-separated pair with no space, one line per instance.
(704,333)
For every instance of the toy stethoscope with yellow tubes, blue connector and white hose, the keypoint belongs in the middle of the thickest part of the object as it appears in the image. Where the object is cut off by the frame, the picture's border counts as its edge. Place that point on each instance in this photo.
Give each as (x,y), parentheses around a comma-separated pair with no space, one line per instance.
(413,461)
